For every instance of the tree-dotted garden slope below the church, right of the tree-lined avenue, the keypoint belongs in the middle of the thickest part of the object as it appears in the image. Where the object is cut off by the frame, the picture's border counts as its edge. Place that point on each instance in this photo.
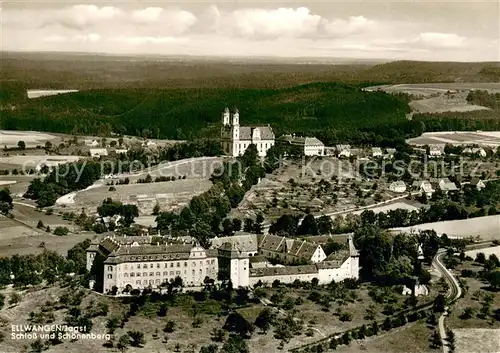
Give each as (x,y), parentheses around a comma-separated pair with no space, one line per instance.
(322,187)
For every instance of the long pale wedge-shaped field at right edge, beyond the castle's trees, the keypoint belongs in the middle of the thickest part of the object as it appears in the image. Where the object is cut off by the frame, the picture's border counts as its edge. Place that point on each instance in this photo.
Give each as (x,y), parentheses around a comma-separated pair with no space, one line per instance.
(487,227)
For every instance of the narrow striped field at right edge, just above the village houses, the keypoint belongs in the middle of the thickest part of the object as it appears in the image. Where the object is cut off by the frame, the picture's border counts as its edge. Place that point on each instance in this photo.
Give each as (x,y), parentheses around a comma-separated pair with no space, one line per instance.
(482,138)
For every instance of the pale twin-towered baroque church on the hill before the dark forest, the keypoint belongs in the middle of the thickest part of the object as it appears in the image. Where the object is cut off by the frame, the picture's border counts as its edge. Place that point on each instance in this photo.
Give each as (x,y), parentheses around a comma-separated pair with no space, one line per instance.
(235,139)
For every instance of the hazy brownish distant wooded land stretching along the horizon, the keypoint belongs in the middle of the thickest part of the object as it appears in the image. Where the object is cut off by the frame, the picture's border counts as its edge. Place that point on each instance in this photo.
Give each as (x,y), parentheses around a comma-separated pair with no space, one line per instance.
(92,71)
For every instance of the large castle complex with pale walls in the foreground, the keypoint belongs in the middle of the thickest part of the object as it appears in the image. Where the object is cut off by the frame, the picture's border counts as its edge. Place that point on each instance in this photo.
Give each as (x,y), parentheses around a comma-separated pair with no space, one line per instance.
(126,263)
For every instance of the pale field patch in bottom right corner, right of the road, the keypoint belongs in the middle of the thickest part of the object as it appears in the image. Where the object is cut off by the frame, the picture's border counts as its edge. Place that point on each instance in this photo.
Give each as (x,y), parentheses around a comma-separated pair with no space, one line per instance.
(477,340)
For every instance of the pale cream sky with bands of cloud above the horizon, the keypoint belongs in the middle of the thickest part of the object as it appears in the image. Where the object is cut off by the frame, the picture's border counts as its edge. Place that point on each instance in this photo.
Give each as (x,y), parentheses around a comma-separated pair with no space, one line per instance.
(365,29)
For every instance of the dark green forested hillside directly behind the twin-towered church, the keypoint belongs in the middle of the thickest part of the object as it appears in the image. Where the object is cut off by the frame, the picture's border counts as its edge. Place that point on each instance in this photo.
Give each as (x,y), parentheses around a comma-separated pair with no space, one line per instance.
(325,109)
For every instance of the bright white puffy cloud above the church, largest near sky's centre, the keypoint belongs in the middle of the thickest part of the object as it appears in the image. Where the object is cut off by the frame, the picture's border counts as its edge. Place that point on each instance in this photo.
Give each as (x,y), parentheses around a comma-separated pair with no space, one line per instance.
(282,22)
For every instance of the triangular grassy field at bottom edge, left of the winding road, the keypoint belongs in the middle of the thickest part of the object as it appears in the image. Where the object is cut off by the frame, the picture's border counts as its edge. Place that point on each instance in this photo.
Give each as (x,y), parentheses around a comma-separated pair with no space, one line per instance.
(413,338)
